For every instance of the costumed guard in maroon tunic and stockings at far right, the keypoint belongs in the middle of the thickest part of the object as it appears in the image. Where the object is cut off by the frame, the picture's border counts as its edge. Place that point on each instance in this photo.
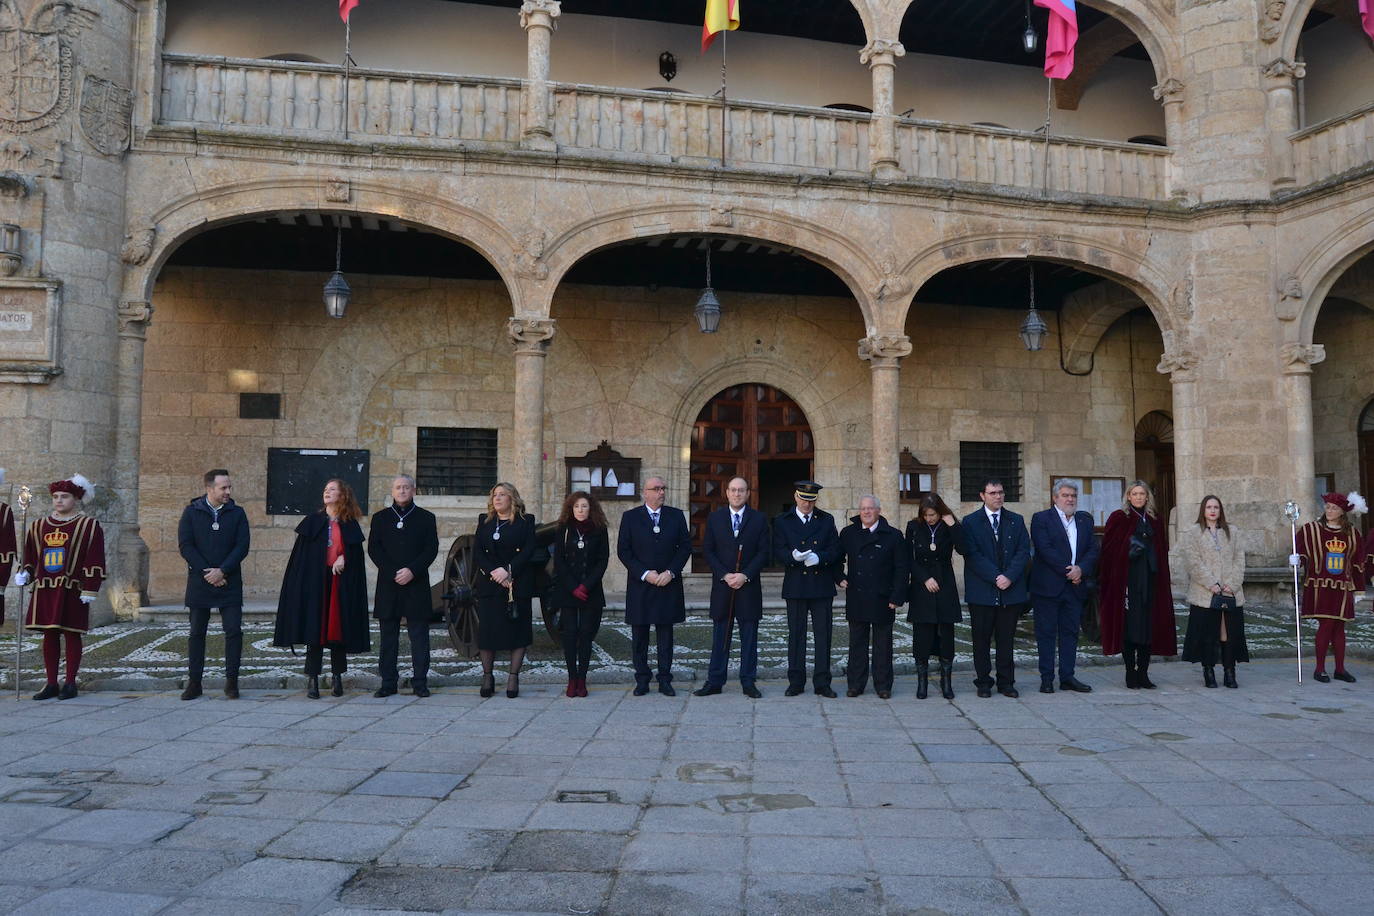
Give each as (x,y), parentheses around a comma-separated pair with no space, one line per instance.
(1333,560)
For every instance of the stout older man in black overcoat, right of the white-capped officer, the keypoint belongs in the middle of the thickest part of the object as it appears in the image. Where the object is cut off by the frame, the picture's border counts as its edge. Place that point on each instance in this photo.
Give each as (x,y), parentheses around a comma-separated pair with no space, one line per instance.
(875,576)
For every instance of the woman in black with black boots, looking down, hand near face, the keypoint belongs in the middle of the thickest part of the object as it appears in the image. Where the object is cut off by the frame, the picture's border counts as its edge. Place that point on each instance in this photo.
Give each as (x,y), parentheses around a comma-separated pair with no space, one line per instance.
(932,539)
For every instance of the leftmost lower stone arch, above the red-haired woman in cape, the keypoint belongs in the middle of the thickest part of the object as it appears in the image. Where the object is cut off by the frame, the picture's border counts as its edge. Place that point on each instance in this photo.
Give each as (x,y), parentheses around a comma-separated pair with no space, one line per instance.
(166,229)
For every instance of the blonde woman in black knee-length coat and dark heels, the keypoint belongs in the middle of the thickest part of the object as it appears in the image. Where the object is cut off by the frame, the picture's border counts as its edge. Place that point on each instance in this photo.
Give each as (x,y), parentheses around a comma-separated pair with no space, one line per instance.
(505,546)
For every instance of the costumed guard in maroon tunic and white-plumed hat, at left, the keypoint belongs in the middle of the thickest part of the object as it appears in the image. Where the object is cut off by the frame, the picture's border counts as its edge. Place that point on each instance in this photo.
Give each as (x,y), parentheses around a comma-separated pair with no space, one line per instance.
(68,549)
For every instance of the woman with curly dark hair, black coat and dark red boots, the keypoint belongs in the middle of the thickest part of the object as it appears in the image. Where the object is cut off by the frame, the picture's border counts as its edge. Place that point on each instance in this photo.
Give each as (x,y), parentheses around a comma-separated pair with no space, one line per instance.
(582,551)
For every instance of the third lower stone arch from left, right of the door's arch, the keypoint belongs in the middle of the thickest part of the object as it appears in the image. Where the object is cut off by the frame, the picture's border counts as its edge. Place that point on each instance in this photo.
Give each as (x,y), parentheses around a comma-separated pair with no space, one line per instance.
(1116,263)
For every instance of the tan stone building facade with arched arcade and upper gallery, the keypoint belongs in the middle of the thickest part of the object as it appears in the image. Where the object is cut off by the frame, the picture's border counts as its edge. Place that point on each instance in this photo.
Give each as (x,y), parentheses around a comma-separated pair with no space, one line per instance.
(1233,260)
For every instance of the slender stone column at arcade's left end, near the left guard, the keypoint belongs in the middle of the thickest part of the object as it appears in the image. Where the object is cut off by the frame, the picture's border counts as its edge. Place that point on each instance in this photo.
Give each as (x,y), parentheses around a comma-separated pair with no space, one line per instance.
(128,590)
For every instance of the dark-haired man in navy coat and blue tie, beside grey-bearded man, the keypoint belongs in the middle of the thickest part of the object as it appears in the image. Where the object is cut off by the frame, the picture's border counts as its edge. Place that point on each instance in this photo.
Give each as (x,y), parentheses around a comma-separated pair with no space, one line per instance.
(995,586)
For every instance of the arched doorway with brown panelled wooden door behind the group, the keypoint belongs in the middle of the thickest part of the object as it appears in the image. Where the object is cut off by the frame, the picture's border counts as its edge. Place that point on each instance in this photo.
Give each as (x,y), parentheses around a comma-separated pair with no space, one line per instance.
(755,432)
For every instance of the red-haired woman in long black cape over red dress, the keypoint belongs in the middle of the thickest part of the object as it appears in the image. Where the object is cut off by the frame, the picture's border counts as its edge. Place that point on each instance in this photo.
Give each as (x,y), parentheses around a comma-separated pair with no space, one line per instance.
(324,598)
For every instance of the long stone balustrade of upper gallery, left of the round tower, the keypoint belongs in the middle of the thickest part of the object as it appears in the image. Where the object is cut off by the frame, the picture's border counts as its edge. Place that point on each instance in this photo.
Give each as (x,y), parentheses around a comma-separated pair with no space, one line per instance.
(307,101)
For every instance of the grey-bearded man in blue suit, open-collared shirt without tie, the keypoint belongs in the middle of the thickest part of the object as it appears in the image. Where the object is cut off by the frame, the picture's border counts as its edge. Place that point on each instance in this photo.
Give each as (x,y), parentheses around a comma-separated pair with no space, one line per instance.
(1066,558)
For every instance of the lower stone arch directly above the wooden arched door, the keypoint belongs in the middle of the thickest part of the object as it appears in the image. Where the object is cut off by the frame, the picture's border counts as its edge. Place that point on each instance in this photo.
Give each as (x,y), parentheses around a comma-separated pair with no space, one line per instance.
(844,256)
